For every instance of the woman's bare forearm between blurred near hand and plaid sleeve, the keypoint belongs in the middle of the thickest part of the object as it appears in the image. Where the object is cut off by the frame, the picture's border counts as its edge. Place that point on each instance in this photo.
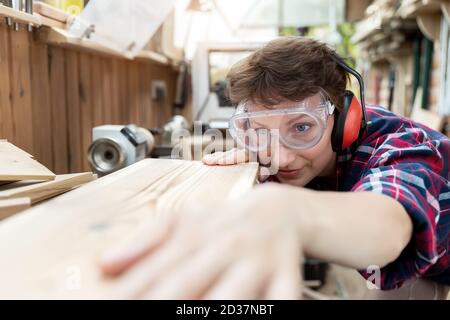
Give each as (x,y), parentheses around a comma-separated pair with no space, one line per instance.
(356,229)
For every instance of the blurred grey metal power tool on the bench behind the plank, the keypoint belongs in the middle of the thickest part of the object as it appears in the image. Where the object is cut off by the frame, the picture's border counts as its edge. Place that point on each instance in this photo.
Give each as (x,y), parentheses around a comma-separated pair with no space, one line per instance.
(117,146)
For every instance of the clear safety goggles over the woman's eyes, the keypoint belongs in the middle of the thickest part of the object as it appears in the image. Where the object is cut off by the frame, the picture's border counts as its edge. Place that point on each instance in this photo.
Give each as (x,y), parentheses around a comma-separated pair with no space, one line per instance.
(300,126)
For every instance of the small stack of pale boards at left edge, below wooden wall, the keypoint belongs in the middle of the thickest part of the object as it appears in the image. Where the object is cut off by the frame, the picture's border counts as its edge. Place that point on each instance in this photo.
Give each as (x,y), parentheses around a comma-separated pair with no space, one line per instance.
(25,182)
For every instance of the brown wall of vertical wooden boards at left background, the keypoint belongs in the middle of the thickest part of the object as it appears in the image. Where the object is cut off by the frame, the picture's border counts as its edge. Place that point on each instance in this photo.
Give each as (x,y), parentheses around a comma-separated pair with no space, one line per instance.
(51,97)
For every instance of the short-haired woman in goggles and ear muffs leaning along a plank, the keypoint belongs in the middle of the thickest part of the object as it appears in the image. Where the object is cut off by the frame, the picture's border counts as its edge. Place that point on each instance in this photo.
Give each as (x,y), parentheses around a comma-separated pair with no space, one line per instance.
(358,186)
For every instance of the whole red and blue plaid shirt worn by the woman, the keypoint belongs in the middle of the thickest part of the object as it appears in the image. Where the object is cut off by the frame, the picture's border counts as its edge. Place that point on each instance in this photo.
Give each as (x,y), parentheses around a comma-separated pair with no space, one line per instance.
(409,162)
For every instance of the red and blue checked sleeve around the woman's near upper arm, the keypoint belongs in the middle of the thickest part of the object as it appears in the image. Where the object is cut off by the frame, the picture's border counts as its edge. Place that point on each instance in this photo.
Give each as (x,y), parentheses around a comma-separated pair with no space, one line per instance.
(410,171)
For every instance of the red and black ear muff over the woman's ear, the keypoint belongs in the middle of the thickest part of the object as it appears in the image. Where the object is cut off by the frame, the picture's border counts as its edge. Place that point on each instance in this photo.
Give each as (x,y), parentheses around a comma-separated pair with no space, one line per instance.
(347,124)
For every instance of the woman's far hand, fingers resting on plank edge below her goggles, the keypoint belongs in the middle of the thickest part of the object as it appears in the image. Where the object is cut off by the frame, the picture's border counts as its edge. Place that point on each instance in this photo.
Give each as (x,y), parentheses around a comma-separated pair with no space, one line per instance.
(234,156)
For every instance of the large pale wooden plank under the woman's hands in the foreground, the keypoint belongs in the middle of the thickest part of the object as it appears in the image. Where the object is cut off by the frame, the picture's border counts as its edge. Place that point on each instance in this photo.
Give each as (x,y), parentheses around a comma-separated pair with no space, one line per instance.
(72,230)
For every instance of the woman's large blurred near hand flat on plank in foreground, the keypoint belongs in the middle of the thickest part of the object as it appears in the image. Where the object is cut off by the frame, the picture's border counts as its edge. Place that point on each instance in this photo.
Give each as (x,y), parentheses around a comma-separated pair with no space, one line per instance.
(247,250)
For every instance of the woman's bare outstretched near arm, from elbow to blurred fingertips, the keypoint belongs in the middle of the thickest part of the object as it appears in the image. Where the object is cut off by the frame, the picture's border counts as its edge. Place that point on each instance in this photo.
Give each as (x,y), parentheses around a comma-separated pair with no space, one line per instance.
(258,240)
